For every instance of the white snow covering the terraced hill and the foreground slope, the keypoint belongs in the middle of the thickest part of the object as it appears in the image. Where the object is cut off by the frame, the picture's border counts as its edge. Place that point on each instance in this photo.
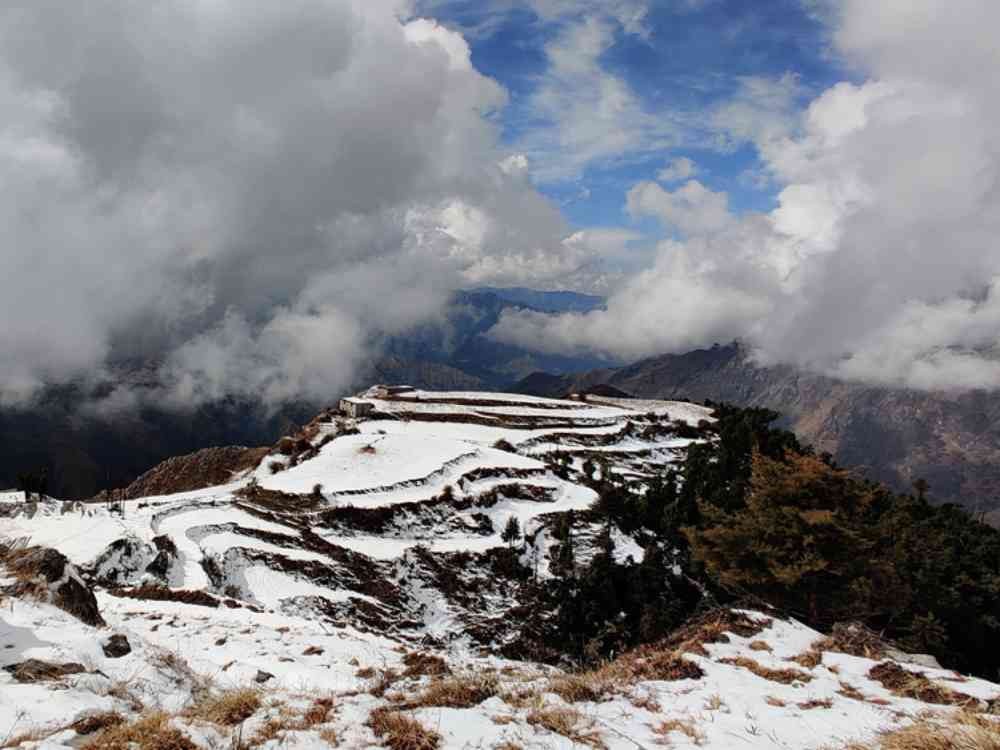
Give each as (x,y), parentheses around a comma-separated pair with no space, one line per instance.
(305,595)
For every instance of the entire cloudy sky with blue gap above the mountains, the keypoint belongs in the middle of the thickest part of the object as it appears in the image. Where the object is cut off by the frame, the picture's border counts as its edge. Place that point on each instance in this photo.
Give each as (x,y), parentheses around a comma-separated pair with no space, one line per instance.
(253,195)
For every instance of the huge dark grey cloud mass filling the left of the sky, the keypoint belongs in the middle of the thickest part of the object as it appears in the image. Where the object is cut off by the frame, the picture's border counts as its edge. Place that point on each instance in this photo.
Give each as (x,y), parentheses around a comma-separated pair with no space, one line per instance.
(252,193)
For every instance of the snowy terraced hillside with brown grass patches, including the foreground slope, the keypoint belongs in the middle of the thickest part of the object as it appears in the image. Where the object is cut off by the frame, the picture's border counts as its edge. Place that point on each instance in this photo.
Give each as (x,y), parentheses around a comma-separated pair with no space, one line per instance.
(354,589)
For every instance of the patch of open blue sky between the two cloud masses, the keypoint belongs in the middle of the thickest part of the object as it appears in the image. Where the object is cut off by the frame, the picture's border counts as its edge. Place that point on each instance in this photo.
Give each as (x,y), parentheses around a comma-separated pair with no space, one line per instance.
(681,62)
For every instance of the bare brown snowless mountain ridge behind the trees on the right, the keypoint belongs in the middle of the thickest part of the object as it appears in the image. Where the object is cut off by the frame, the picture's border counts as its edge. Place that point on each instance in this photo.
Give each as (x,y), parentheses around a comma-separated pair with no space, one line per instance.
(952,440)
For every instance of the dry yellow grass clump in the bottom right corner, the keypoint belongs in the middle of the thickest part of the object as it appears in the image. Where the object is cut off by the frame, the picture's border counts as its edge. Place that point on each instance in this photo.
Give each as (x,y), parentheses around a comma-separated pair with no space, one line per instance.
(959,731)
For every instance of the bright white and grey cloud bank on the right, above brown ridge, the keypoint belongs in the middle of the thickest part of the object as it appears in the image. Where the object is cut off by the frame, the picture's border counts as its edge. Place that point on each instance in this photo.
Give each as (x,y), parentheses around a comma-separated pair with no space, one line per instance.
(881,260)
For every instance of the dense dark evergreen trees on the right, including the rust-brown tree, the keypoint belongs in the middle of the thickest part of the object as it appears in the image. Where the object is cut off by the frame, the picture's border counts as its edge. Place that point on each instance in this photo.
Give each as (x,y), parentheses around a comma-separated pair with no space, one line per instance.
(766,517)
